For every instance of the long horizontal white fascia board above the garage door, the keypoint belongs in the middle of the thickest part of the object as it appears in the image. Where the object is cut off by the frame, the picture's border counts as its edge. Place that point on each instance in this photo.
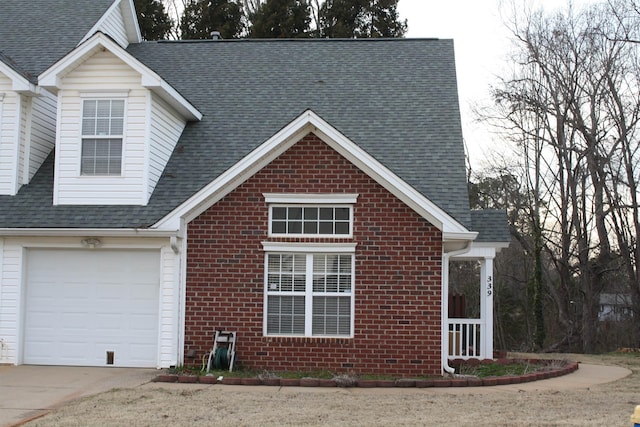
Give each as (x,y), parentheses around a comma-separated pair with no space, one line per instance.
(84,232)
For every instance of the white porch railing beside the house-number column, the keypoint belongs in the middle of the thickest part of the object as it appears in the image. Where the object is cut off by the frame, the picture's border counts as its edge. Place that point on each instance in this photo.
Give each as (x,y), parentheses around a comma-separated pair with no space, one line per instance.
(465,338)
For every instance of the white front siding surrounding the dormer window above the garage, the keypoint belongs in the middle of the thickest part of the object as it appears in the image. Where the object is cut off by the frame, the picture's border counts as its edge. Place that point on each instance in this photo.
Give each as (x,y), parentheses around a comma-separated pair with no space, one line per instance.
(102,72)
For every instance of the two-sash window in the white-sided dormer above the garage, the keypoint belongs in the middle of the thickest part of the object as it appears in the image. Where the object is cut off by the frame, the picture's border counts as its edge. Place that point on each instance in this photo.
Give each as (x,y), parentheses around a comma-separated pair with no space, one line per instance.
(102,136)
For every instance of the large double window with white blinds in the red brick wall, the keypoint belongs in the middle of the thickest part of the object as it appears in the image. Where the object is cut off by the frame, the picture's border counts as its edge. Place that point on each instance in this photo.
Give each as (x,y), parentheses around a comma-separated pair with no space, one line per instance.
(309,293)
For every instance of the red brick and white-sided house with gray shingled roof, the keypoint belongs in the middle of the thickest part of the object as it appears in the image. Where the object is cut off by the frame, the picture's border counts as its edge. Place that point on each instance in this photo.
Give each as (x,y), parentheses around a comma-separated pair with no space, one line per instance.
(308,194)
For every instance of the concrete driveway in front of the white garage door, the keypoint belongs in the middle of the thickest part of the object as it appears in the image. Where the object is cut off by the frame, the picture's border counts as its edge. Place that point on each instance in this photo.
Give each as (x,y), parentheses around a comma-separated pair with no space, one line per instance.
(29,391)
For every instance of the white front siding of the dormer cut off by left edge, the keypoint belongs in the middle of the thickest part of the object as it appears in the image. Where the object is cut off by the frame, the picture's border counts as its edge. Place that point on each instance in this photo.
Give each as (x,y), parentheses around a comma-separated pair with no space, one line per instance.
(9,116)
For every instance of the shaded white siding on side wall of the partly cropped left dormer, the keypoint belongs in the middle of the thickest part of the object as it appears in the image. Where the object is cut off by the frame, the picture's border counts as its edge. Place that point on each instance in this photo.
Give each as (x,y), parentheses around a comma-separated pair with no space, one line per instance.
(43,130)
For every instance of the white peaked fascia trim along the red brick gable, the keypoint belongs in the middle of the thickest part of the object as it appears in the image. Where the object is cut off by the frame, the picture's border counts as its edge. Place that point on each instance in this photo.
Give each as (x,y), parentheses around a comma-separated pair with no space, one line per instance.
(283,140)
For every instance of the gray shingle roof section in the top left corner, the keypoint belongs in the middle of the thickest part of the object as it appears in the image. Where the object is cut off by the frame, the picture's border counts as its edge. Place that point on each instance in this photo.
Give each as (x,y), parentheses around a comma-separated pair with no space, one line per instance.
(37,34)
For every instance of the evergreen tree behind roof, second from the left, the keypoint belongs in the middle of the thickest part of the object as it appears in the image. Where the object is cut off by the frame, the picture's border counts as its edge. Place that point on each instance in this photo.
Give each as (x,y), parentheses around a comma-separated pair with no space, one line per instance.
(202,17)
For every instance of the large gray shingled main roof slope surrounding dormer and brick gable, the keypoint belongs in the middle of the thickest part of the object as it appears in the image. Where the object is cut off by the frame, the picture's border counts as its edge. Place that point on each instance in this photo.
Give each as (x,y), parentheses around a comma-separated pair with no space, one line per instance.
(395,98)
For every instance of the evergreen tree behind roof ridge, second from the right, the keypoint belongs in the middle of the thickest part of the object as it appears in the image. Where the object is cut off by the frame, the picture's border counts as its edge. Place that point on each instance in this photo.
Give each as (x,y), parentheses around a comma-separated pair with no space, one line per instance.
(280,19)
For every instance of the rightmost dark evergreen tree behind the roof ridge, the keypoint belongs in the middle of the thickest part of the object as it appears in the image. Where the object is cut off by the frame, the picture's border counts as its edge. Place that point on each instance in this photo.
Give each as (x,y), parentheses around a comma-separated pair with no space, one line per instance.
(360,18)
